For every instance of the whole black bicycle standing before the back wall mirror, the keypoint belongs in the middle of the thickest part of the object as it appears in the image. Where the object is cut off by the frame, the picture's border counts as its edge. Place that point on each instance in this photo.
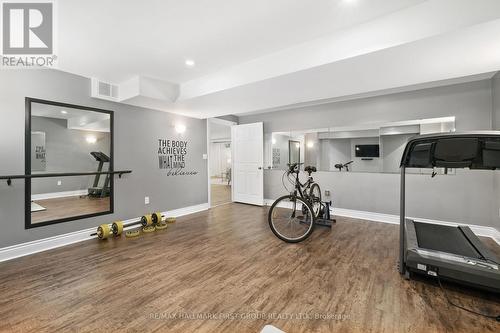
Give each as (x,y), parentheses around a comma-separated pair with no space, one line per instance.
(292,217)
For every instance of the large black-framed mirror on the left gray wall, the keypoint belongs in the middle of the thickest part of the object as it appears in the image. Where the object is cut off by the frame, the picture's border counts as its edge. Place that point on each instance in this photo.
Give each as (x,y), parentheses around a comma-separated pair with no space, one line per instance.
(65,139)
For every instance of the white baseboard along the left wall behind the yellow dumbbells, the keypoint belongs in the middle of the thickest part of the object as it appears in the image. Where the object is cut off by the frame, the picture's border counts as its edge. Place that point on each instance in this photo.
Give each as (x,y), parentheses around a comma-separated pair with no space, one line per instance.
(24,249)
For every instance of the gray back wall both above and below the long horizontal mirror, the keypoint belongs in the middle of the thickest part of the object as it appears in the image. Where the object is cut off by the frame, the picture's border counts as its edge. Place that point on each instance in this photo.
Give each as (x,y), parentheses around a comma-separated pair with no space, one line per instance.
(467,197)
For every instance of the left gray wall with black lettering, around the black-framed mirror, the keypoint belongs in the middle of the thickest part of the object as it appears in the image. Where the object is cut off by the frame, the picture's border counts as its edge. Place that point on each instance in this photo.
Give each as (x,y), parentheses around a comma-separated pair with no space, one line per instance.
(136,137)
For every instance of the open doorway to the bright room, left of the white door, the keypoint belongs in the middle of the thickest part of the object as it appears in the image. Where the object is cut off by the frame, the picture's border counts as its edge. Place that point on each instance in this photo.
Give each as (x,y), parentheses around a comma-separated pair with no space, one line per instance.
(220,161)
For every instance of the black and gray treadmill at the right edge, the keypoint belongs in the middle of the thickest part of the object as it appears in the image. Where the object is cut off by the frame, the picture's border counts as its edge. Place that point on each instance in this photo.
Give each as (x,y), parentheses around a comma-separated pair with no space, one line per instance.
(444,251)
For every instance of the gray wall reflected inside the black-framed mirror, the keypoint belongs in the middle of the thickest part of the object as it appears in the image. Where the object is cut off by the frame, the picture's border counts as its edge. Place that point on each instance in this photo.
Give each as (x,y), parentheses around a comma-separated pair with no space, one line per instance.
(67,150)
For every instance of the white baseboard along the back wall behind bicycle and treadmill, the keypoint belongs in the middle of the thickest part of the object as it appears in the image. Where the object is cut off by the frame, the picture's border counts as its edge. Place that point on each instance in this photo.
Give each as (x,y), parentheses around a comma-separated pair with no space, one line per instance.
(394,219)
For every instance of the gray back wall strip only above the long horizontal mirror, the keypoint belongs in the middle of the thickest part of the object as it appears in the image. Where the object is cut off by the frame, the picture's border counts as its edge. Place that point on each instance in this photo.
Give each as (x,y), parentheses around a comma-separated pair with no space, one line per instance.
(471,103)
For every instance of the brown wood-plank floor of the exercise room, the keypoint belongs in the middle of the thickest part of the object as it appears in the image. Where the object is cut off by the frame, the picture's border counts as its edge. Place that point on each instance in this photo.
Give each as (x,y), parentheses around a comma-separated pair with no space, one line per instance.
(226,263)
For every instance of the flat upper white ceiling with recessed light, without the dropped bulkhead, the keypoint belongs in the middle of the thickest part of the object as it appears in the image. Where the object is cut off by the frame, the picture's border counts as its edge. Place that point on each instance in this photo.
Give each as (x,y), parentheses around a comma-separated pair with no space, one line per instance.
(117,40)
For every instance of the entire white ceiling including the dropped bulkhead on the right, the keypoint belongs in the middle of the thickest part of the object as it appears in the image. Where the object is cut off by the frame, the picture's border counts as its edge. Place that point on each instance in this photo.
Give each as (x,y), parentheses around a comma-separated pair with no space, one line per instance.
(262,55)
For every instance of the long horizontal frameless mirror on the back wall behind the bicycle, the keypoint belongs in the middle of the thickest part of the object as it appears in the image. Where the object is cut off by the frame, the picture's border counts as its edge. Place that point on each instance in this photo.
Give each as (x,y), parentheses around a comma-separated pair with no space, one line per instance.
(367,148)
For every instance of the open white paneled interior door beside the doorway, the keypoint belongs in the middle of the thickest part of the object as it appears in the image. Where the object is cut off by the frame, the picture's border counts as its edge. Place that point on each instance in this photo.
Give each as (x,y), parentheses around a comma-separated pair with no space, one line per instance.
(248,161)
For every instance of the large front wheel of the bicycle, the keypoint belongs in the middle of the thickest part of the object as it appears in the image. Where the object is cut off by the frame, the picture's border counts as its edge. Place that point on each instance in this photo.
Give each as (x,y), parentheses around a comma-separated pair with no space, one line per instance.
(291,219)
